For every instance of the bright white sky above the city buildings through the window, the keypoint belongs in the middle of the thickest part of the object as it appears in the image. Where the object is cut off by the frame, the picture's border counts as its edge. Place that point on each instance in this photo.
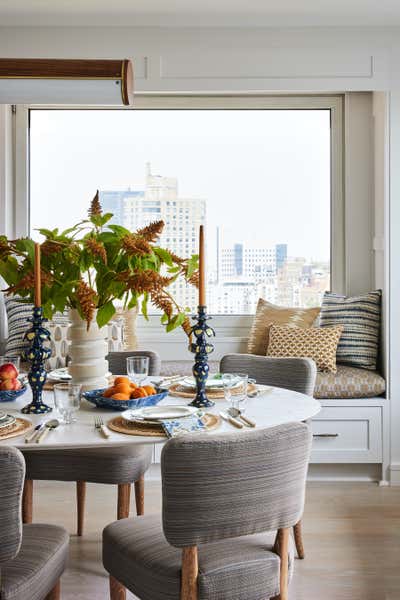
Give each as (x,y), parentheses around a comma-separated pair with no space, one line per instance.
(265,174)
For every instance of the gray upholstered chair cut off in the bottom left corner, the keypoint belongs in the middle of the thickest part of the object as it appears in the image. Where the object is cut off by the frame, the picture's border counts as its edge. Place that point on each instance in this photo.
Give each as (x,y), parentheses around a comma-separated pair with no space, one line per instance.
(32,557)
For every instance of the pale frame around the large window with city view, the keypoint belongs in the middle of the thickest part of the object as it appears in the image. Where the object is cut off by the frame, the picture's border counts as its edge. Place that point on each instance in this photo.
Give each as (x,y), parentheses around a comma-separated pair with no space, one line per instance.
(334,103)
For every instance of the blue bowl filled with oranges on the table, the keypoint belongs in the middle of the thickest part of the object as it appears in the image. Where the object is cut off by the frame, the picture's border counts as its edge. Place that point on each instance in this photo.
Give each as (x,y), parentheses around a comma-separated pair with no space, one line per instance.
(124,394)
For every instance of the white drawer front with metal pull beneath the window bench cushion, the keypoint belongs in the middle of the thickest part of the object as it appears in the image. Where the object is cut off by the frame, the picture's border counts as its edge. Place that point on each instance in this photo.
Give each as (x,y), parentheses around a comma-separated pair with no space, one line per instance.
(347,435)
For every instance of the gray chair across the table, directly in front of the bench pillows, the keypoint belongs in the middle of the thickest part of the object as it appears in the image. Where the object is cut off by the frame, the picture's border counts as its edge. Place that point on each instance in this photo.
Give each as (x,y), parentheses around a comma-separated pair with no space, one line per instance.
(296,374)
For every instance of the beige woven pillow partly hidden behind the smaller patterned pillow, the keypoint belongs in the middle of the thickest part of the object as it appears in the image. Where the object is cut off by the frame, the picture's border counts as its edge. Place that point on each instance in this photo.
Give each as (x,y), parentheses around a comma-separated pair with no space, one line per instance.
(268,313)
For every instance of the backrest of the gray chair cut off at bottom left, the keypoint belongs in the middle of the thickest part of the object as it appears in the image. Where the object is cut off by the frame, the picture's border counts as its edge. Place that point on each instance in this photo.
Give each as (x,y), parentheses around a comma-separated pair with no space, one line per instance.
(12,474)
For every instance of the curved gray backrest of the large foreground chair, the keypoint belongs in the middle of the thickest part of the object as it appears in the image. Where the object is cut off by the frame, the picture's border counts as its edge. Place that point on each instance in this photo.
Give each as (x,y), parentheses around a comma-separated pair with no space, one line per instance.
(227,485)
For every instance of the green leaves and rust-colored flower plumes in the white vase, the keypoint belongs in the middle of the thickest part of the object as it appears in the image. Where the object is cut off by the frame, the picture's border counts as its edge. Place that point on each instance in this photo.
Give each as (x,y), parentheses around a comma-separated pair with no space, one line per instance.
(95,264)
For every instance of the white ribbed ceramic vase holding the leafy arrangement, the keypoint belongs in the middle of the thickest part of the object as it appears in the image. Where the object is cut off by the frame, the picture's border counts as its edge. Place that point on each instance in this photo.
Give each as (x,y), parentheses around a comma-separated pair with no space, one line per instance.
(87,350)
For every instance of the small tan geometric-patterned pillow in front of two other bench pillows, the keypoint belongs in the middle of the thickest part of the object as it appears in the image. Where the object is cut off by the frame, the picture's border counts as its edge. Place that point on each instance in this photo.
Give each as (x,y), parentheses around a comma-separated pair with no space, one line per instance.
(318,343)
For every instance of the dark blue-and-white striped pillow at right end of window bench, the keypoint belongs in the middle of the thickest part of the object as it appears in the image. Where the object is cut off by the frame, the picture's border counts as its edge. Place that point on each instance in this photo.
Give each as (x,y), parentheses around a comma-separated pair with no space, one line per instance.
(361,319)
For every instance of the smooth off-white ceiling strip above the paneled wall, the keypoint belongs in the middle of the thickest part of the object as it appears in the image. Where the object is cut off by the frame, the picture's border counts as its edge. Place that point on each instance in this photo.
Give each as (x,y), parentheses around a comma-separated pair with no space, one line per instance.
(269,13)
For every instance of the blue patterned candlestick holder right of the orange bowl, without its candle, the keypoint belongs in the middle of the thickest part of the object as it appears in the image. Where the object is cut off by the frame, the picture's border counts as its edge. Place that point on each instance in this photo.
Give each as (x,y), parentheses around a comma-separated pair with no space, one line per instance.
(201,348)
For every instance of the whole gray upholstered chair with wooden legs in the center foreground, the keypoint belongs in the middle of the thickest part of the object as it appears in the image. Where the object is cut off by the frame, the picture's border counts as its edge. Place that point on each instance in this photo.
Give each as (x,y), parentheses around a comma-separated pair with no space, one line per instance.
(222,496)
